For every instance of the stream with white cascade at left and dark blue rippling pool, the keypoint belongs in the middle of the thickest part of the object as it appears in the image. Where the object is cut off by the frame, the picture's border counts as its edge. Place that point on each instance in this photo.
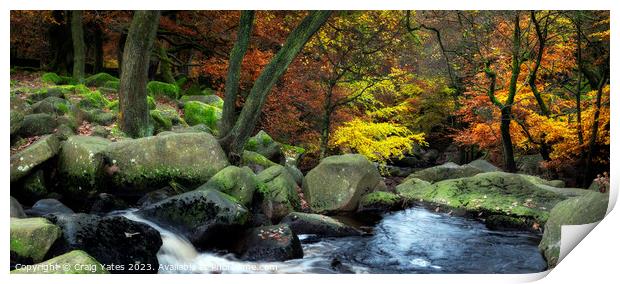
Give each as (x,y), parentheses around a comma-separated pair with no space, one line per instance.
(410,241)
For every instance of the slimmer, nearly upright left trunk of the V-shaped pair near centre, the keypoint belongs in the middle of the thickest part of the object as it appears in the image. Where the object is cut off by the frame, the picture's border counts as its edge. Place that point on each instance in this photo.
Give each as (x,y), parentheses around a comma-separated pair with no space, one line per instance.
(234,72)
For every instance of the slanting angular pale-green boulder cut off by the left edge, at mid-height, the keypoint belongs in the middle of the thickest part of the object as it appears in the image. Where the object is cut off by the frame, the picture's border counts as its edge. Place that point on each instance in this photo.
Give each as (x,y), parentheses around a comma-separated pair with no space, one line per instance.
(24,161)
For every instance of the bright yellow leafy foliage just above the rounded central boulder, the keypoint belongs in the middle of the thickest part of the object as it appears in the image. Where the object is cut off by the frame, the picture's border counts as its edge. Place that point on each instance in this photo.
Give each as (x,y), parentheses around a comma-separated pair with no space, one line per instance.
(377,141)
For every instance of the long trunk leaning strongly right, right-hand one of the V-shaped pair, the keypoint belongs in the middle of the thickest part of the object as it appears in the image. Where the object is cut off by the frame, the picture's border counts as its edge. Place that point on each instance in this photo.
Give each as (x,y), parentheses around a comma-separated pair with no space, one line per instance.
(234,141)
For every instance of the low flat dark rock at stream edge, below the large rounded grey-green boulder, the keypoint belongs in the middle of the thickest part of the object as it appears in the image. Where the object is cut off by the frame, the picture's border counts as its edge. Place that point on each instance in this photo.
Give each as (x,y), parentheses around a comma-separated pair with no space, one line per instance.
(319,225)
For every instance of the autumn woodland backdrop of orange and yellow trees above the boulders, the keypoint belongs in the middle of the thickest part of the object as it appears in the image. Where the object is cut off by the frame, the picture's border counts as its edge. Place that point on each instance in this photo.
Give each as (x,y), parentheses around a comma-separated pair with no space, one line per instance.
(503,85)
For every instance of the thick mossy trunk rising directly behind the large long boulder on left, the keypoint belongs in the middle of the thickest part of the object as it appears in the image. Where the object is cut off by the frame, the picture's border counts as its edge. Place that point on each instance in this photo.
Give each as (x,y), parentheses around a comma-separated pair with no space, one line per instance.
(134,114)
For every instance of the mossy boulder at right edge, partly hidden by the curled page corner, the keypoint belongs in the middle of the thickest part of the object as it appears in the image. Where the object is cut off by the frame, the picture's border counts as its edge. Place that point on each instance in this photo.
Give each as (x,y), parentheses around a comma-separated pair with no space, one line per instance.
(585,209)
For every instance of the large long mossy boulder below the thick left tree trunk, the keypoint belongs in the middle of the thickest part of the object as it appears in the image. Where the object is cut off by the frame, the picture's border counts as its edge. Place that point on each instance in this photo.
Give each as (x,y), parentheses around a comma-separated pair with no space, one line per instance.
(139,165)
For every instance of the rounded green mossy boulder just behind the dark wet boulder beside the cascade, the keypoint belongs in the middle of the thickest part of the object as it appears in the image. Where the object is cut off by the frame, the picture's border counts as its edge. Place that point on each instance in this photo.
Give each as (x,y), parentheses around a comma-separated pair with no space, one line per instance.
(239,183)
